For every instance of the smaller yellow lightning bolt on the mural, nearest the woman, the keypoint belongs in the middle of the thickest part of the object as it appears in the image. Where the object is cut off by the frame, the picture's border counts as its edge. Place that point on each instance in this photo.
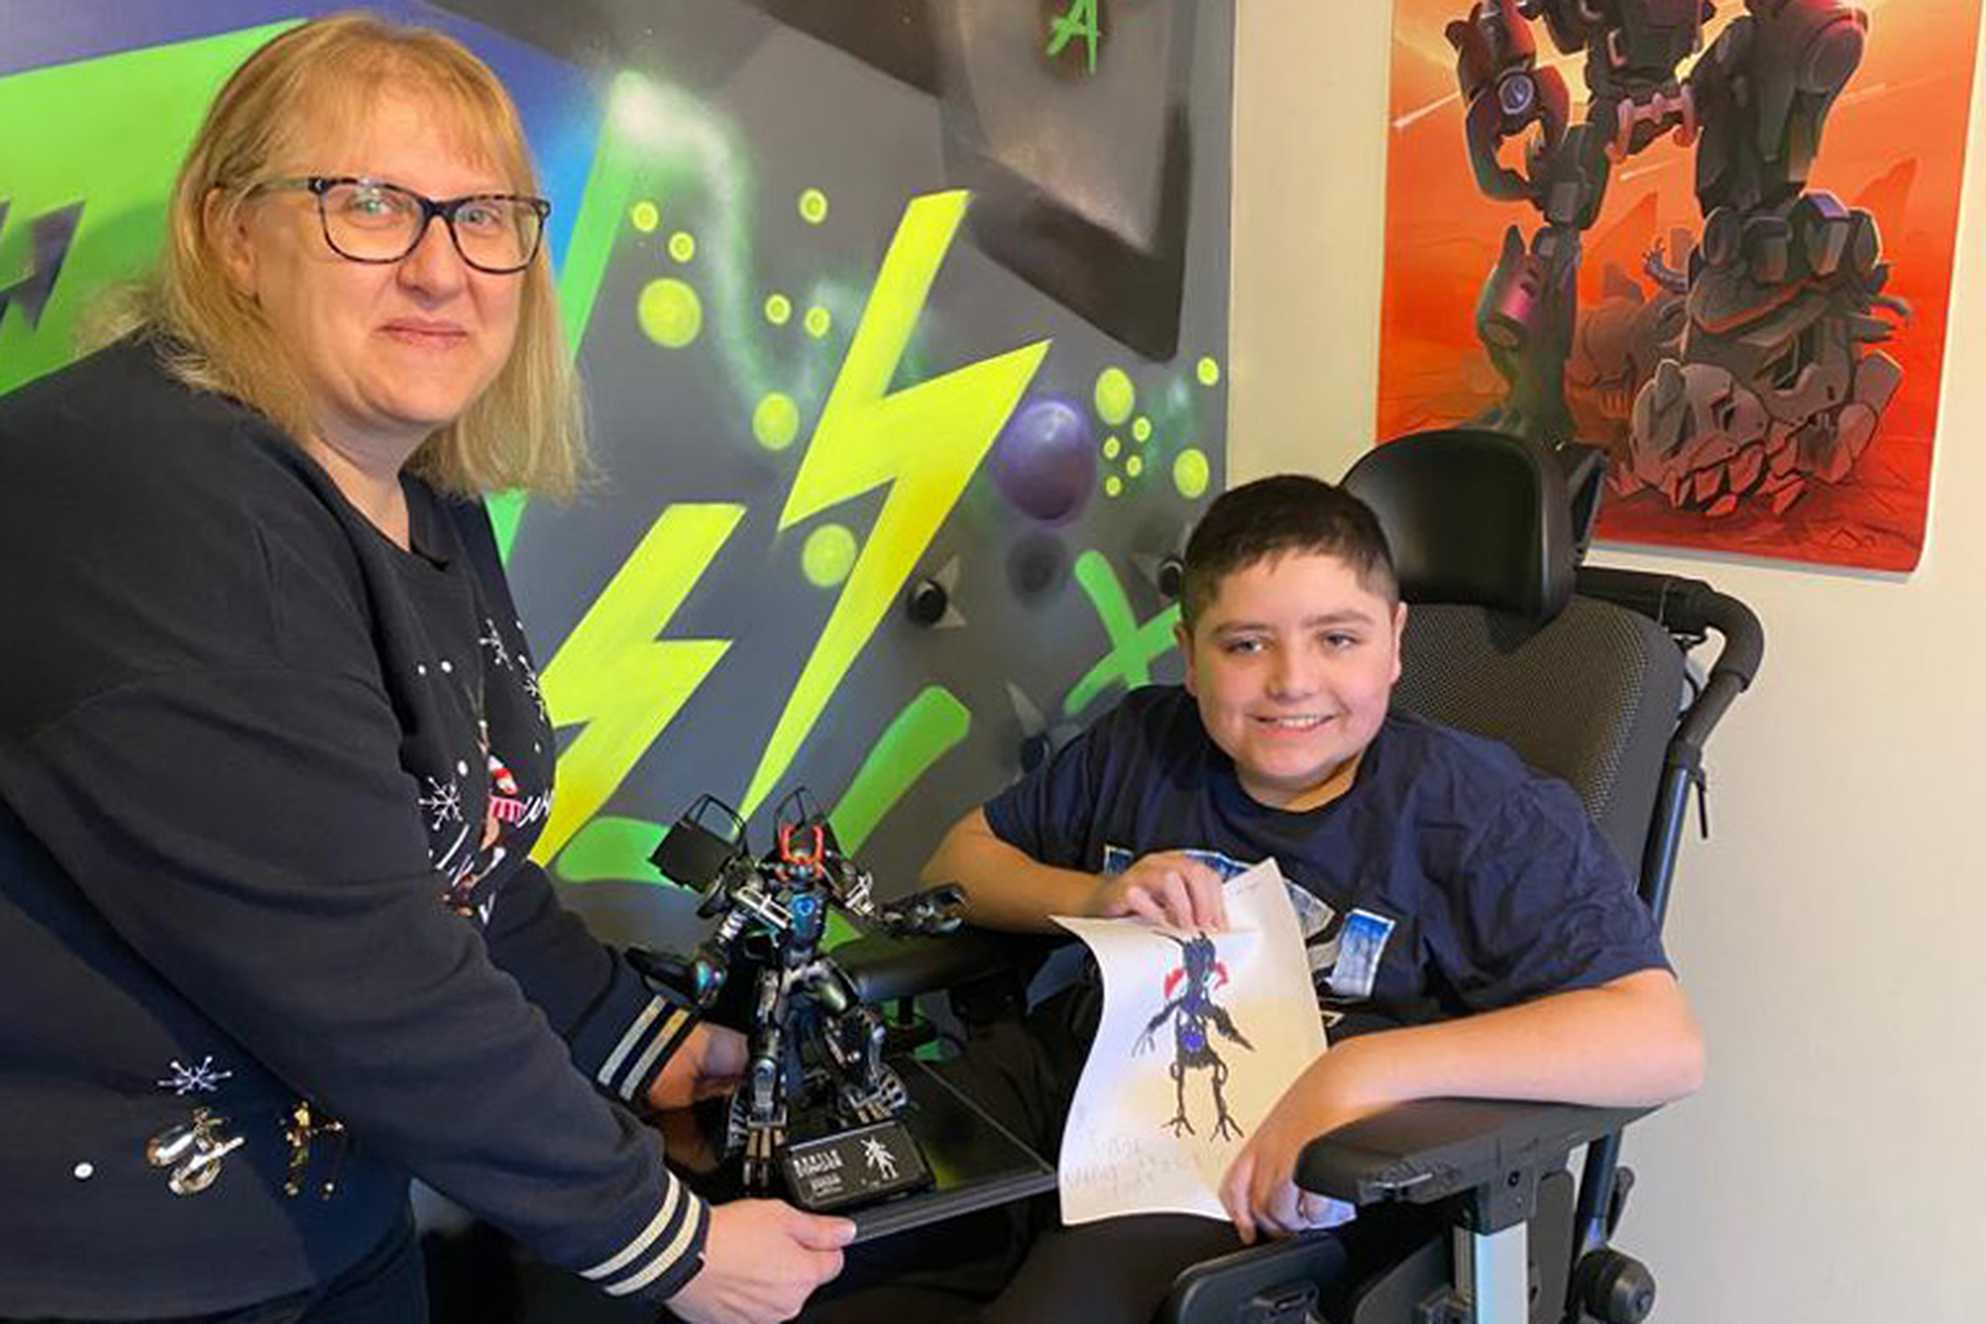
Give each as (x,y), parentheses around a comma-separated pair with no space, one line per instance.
(619,678)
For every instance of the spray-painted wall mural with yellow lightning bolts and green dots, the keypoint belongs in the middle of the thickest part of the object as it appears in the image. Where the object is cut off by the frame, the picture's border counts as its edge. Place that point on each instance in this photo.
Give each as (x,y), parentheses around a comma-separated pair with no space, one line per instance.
(905,332)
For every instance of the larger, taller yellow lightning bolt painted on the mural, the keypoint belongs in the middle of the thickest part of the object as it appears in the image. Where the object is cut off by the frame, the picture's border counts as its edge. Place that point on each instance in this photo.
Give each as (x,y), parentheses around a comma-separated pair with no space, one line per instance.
(928,440)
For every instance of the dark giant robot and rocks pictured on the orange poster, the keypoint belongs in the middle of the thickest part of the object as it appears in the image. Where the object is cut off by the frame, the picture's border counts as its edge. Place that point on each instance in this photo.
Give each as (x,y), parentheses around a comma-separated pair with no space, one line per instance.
(1753,370)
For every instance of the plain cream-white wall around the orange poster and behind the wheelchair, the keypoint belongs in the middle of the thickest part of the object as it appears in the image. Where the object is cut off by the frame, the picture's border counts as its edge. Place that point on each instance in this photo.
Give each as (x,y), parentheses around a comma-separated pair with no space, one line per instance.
(1834,934)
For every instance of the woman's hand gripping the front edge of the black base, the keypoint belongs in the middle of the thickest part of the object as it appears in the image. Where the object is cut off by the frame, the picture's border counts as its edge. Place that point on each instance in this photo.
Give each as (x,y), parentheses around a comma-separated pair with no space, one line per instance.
(762,1263)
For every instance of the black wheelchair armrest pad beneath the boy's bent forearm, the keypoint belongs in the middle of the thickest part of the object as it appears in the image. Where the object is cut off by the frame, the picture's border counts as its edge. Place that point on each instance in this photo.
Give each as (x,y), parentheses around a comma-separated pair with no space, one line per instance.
(1437,1148)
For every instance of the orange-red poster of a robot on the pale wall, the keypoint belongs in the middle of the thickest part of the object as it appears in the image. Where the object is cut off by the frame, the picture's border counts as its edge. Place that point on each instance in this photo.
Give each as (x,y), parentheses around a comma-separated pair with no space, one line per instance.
(1711,237)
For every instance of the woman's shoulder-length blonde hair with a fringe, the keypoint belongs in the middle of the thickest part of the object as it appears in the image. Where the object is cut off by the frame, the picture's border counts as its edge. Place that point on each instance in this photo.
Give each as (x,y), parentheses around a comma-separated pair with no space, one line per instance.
(529,428)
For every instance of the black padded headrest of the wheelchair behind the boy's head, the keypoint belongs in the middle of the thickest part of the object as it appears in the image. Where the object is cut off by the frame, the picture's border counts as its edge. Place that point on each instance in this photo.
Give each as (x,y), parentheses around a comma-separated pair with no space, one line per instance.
(1481,519)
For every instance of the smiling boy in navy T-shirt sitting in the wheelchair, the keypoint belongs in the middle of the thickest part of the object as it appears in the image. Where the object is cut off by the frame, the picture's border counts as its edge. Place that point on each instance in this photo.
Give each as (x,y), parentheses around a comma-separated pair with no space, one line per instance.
(1471,932)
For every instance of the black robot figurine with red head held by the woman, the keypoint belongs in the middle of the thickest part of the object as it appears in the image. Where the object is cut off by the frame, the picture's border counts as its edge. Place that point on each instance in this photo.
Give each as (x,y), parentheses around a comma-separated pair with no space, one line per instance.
(819,1103)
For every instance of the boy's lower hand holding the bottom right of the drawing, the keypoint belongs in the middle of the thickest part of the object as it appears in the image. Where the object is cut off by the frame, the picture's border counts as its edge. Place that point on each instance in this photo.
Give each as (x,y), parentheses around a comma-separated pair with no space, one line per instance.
(1260,1190)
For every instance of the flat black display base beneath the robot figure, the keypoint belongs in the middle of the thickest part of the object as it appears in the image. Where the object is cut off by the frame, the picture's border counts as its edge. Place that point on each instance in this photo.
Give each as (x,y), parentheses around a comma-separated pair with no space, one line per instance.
(970,1164)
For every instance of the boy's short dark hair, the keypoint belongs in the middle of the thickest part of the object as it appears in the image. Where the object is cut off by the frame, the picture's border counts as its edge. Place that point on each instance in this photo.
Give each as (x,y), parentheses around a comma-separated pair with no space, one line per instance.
(1274,517)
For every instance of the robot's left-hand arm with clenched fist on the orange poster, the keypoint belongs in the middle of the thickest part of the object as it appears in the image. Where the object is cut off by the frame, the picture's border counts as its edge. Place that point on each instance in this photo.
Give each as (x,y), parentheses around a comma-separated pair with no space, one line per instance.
(1504,94)
